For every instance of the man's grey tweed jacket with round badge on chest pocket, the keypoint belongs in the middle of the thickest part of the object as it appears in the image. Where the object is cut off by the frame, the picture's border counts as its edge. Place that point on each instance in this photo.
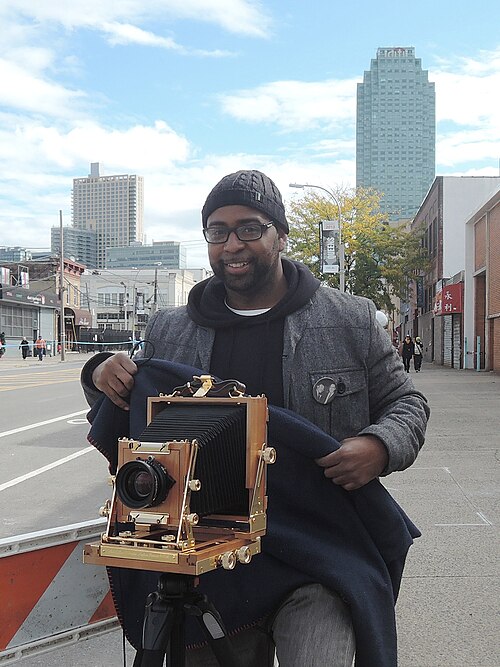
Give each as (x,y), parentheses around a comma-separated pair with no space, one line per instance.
(335,336)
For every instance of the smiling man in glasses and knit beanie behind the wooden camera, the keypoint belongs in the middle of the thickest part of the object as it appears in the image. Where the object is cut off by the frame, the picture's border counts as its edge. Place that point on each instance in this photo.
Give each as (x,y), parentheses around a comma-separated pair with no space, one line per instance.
(268,322)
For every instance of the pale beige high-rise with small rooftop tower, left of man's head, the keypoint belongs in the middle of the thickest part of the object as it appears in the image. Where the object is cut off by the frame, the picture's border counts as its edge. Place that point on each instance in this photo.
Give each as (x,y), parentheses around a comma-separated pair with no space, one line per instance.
(110,206)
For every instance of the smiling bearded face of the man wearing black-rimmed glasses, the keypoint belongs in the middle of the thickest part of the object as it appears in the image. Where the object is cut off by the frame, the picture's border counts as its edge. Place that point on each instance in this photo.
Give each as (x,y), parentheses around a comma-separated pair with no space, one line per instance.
(245,267)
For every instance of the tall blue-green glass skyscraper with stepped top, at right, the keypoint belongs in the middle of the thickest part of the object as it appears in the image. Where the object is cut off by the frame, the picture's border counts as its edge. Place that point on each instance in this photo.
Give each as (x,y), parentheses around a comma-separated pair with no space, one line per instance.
(395,131)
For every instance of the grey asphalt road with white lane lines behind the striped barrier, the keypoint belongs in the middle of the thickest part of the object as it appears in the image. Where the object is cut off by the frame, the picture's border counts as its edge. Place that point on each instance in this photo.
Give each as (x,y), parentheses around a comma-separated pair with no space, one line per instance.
(50,475)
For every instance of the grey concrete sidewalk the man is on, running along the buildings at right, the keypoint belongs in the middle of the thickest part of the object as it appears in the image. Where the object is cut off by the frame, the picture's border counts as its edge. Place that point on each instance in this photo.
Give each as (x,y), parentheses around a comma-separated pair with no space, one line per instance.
(449,603)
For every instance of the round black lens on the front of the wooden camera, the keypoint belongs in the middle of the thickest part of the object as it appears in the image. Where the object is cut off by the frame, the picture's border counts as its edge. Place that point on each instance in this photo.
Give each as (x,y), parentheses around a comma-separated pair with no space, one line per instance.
(143,483)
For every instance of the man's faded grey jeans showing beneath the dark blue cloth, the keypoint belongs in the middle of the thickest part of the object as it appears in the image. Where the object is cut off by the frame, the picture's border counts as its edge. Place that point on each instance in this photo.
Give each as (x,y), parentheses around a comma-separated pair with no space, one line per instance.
(312,628)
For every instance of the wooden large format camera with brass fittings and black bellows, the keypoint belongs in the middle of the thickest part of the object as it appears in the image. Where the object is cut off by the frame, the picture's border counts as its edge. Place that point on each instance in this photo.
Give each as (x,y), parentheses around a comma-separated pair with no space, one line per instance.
(189,493)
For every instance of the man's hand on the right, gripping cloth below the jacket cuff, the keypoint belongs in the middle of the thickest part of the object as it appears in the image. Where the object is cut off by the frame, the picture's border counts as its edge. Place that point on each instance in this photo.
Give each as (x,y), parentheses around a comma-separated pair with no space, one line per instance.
(356,462)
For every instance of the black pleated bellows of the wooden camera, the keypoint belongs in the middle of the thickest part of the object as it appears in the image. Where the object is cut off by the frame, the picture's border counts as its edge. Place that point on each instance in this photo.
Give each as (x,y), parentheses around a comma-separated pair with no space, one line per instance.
(221,434)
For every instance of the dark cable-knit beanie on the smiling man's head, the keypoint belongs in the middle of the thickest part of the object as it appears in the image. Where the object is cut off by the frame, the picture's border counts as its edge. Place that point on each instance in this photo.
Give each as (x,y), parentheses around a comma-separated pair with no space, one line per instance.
(247,188)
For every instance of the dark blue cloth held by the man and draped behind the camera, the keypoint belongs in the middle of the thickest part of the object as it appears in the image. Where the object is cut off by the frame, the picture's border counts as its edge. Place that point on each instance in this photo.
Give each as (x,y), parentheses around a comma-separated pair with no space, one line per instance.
(352,542)
